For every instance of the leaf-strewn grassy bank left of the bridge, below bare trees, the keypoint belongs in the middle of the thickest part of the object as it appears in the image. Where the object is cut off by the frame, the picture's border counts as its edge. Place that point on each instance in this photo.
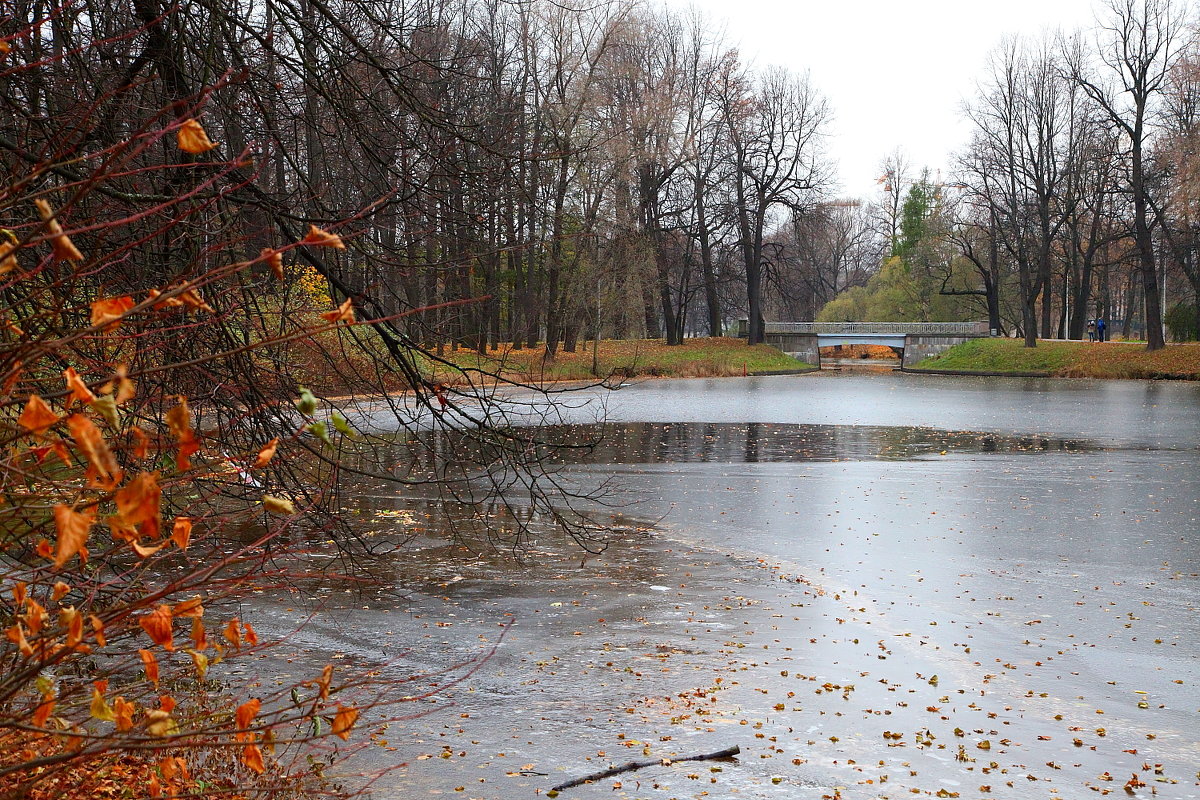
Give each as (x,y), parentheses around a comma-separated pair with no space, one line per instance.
(701,358)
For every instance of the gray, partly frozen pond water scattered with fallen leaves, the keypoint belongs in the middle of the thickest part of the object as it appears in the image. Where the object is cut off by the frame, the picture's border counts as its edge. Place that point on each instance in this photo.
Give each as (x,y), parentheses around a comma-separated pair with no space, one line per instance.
(878,586)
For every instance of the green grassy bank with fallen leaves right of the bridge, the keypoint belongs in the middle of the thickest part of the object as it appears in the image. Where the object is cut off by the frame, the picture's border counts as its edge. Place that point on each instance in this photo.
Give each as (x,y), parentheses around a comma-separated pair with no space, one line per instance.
(1071,359)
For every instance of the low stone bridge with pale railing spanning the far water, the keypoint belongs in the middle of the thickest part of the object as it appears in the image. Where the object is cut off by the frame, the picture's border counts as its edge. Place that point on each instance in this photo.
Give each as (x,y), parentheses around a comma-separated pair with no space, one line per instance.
(916,341)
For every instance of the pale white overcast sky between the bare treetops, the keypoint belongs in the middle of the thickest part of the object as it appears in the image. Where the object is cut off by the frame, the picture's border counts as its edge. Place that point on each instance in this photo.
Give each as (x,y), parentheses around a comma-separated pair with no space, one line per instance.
(896,73)
